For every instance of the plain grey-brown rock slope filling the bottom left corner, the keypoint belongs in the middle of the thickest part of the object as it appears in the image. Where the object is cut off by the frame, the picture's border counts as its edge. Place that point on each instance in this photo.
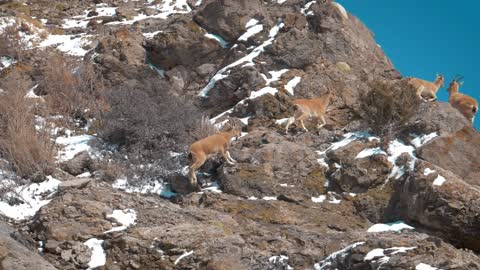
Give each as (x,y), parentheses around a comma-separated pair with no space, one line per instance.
(14,255)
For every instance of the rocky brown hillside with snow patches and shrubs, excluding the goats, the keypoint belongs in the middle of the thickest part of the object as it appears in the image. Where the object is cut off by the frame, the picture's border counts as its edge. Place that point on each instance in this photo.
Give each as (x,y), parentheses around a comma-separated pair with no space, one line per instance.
(100,99)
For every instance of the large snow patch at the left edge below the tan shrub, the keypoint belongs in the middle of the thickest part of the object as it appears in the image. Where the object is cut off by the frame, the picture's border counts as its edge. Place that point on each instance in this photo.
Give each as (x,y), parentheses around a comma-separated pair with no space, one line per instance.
(34,196)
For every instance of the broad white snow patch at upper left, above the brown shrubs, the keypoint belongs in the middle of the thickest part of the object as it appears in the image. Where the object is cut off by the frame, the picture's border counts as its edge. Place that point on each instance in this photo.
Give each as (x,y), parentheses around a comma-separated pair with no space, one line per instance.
(68,44)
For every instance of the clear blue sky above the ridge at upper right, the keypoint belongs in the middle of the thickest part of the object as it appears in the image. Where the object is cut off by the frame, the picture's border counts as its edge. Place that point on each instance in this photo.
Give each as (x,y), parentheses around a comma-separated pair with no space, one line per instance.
(423,37)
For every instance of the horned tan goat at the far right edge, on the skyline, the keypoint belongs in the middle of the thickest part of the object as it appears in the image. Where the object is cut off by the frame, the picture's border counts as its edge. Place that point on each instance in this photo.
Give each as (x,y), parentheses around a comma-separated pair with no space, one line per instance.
(466,105)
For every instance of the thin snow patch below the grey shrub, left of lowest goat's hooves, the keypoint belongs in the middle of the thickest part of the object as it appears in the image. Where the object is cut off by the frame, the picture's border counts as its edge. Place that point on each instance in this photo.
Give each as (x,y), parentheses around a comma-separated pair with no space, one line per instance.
(152,187)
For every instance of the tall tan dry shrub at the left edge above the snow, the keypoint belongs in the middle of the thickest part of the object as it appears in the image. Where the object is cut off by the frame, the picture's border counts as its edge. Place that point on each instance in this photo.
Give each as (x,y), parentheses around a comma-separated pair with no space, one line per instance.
(30,153)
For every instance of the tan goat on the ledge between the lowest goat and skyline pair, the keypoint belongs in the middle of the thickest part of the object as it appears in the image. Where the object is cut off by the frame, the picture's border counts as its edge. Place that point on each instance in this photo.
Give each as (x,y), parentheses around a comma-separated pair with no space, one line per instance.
(310,108)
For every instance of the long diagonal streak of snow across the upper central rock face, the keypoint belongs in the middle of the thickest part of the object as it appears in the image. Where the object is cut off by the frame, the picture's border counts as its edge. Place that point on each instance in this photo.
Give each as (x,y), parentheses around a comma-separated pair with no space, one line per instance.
(223,73)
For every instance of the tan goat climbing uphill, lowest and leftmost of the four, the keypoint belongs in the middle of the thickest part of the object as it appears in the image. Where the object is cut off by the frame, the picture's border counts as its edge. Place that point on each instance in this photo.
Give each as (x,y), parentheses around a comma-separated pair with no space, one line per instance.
(210,146)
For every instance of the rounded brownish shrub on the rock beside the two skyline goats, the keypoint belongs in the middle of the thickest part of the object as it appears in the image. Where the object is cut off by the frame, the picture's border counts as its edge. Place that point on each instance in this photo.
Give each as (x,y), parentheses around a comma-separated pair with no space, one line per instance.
(388,107)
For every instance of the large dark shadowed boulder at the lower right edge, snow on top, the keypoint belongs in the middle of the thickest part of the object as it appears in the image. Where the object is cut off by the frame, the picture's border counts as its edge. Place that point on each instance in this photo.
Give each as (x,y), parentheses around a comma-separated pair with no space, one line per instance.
(440,202)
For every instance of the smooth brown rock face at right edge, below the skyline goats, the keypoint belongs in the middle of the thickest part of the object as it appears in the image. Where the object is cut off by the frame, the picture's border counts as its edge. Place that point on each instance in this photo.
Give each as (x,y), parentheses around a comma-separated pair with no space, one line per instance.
(457,152)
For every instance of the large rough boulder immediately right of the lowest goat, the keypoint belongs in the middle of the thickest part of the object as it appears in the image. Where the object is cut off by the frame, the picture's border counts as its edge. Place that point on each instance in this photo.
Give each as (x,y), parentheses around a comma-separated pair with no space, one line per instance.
(267,169)
